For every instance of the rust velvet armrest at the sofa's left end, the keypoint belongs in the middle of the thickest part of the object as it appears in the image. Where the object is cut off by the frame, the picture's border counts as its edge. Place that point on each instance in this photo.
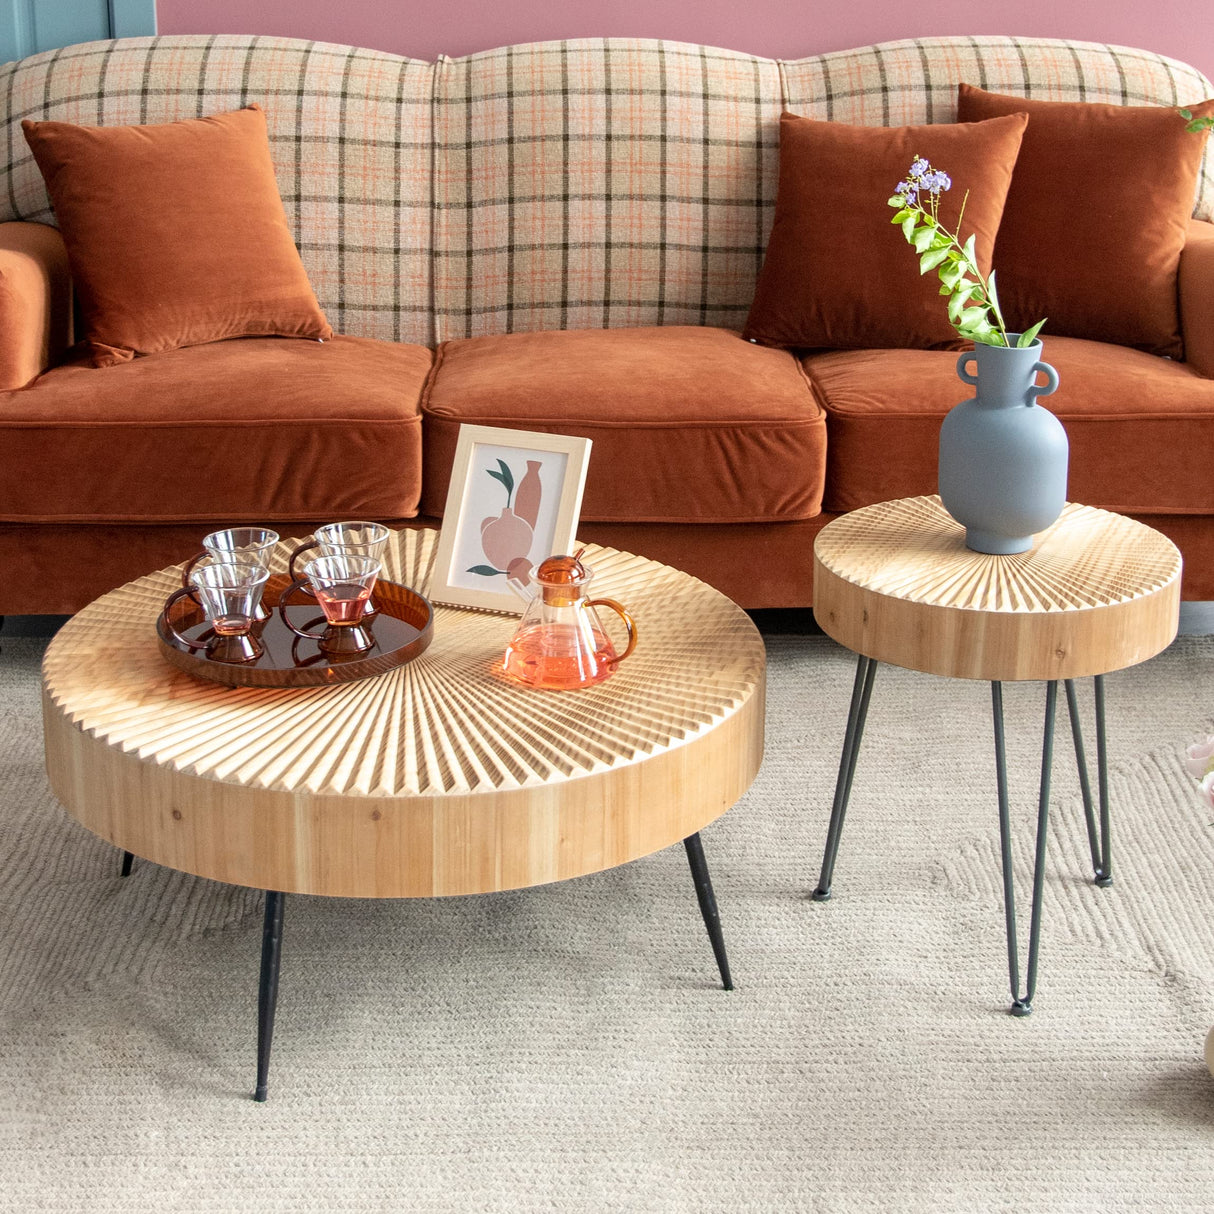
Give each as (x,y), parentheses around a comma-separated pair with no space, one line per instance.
(36,302)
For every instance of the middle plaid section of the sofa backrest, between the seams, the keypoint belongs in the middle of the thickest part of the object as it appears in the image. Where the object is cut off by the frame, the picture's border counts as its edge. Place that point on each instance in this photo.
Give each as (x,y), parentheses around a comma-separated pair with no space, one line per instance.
(602,184)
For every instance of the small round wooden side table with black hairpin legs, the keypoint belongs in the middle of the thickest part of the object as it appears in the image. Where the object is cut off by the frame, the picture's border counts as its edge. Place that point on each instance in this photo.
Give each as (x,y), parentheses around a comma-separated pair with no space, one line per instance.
(1097,593)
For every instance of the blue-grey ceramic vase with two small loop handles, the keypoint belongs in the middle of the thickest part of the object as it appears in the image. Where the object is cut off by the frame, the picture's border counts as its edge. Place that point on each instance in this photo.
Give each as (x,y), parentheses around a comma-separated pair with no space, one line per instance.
(1003,458)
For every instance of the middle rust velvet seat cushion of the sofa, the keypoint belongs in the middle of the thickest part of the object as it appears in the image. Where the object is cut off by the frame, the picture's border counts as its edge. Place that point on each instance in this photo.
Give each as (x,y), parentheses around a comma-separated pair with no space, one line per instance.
(690,426)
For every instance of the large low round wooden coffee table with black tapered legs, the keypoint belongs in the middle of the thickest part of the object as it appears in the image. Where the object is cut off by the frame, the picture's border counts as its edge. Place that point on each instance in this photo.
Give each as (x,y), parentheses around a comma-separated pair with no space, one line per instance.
(439,778)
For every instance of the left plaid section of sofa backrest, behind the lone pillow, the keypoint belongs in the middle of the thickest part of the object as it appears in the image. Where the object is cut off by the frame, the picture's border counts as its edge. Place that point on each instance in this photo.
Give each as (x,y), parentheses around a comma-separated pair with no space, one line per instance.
(350,138)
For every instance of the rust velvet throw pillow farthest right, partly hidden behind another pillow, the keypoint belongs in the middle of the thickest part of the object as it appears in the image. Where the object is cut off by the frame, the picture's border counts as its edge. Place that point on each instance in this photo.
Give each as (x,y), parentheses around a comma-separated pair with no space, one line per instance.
(1096,219)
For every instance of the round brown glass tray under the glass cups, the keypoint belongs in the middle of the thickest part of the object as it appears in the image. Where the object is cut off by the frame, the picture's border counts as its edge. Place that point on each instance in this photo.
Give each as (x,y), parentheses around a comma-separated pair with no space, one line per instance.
(404,628)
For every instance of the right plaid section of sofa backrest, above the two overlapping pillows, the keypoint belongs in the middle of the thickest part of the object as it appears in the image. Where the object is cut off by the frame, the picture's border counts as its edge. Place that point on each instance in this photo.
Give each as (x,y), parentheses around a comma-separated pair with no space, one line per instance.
(911,82)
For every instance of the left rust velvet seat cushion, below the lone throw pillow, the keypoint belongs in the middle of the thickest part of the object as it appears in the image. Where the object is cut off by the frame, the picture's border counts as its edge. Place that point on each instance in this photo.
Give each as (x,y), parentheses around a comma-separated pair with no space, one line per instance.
(258,430)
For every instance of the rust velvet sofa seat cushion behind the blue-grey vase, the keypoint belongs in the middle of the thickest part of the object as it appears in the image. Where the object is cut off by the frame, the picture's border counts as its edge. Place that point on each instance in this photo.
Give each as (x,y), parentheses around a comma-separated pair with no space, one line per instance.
(1138,426)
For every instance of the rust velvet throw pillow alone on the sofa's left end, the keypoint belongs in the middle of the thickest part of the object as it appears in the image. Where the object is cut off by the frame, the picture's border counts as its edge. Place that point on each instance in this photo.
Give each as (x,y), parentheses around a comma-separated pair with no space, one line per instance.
(175,234)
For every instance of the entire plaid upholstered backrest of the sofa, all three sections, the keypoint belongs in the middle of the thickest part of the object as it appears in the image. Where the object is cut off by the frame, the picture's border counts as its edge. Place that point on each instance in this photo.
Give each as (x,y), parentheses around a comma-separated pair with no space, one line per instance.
(589,184)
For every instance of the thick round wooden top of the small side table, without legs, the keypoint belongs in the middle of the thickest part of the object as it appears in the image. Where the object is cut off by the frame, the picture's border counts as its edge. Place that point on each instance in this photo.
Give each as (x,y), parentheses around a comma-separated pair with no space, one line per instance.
(1097,593)
